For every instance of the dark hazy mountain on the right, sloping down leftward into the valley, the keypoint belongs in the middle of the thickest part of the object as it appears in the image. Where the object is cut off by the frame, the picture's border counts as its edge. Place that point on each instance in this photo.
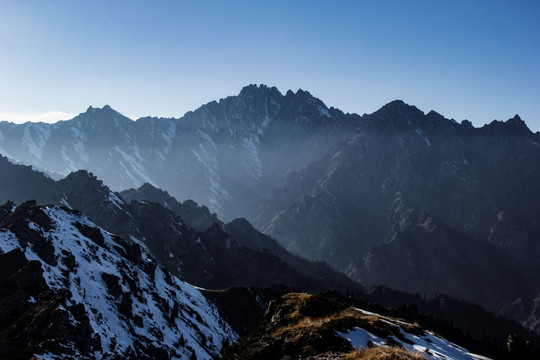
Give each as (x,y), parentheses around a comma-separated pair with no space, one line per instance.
(422,204)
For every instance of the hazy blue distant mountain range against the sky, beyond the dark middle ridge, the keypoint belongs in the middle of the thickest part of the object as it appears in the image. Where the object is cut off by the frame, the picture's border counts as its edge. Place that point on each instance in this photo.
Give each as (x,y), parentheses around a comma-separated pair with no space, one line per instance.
(398,197)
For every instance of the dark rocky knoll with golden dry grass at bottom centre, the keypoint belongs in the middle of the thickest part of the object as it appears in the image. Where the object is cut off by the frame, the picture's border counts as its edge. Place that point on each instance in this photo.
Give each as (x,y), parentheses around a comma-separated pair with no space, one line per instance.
(306,325)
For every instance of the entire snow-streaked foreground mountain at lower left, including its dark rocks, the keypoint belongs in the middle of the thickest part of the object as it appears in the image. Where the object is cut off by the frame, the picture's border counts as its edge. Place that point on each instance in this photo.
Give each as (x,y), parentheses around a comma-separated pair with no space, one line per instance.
(73,290)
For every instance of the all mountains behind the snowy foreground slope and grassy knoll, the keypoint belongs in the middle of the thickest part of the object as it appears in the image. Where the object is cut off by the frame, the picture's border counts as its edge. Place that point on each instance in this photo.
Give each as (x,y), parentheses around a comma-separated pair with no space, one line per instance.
(400,197)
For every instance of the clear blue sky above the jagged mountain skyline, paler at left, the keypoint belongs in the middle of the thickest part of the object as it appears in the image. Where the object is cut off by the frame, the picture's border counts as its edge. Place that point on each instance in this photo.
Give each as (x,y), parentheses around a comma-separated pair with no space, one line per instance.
(476,60)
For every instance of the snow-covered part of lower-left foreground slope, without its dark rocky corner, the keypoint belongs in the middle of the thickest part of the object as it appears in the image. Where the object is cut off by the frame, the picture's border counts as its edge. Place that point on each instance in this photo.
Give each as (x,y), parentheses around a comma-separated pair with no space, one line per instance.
(135,307)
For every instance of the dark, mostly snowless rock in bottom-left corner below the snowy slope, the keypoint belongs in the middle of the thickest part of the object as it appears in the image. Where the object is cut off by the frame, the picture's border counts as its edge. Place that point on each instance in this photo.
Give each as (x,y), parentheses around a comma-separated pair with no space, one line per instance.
(35,319)
